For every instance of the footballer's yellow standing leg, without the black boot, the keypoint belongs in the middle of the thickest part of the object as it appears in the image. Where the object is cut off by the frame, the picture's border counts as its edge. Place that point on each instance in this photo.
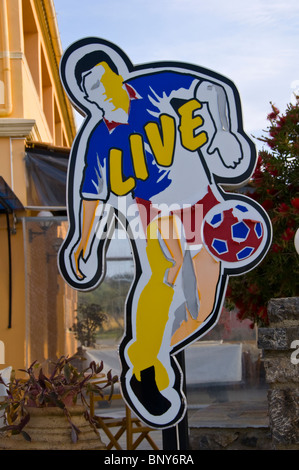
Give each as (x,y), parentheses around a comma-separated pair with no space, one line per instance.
(155,299)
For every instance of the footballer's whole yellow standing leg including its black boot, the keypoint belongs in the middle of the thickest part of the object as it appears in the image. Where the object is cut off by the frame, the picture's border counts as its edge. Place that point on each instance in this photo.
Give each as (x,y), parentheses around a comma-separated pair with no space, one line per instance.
(148,352)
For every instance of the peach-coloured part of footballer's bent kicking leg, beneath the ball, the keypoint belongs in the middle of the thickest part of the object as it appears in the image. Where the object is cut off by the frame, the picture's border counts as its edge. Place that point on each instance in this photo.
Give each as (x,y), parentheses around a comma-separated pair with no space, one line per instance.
(207,273)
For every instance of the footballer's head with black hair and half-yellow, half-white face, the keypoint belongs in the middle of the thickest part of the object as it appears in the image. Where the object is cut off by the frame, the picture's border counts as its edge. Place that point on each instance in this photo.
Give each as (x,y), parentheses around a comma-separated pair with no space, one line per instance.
(98,77)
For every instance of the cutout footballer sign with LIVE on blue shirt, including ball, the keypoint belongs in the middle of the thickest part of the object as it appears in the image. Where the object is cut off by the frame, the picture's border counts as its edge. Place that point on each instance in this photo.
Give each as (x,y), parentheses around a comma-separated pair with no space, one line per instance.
(158,144)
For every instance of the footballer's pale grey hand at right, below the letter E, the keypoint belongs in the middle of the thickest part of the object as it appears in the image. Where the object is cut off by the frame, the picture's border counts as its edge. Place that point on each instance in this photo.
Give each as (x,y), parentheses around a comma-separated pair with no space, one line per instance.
(228,147)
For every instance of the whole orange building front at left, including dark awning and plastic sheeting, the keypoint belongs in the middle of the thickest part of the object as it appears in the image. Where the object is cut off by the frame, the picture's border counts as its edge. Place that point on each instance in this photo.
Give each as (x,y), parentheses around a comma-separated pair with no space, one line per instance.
(37,127)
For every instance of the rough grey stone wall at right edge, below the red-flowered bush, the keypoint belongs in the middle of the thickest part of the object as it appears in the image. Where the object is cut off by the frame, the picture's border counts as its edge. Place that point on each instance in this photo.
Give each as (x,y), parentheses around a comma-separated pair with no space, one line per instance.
(280,345)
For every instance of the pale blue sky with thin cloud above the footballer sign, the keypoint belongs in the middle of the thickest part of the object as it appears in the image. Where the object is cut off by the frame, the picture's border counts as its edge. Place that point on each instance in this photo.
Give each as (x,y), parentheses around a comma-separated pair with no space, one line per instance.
(255,43)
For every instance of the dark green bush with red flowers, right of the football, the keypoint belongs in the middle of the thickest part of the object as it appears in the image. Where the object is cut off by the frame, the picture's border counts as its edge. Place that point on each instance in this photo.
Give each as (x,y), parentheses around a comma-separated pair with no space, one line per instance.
(275,185)
